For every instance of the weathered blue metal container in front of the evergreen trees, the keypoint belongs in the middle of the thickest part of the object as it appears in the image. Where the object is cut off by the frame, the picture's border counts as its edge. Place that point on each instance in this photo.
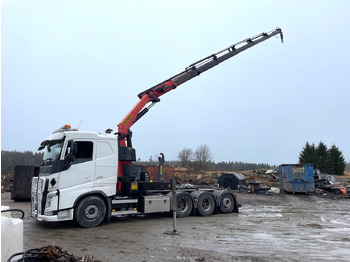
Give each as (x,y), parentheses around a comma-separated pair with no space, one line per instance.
(297,178)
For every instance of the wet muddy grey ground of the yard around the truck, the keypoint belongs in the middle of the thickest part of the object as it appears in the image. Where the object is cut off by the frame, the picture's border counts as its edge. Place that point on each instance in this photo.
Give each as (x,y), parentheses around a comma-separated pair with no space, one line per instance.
(268,228)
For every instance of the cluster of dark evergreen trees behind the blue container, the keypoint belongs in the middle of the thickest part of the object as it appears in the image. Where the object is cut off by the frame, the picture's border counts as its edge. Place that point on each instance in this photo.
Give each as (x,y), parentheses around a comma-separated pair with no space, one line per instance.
(327,160)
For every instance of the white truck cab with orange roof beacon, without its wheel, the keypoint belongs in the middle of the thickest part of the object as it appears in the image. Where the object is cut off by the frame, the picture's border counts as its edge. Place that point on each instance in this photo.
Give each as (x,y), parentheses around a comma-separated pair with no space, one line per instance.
(75,164)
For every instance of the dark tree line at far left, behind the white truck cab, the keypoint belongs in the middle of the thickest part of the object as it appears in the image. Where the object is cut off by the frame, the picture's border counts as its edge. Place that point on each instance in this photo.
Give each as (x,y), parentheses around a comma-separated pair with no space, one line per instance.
(9,159)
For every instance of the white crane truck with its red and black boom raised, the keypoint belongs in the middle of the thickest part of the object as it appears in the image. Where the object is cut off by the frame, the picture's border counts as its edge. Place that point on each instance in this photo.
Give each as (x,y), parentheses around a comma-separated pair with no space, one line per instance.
(90,176)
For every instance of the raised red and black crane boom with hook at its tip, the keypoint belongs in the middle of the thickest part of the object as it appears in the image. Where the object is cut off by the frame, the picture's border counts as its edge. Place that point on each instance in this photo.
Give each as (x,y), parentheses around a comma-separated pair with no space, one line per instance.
(152,94)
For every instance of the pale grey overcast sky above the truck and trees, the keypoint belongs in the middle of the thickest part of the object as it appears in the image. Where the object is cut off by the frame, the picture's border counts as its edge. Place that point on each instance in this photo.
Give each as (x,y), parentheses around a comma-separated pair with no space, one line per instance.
(84,62)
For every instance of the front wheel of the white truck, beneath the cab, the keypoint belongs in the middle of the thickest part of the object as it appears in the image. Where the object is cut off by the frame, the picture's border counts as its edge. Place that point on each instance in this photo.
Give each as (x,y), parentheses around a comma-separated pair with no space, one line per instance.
(90,211)
